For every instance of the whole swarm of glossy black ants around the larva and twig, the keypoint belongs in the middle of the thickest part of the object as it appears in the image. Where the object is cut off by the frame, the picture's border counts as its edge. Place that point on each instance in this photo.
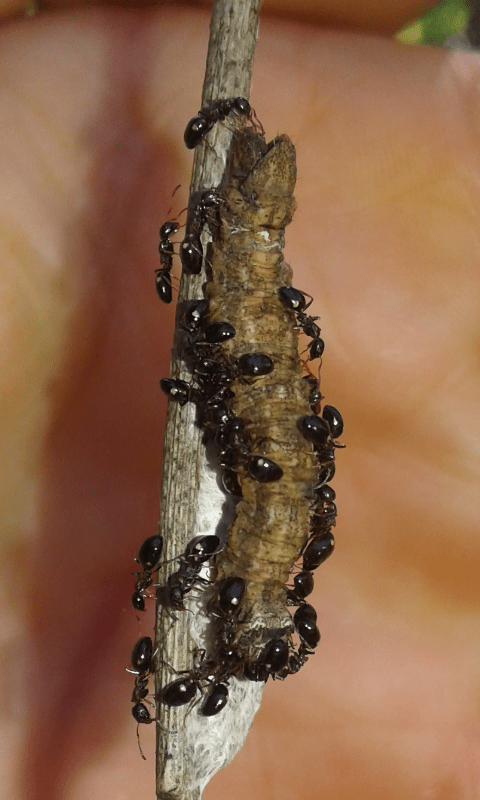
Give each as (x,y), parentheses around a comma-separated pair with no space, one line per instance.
(210,389)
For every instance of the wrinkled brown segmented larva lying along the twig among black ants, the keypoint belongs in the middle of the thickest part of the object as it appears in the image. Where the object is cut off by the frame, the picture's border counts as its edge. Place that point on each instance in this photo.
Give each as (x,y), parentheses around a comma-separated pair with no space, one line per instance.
(247,271)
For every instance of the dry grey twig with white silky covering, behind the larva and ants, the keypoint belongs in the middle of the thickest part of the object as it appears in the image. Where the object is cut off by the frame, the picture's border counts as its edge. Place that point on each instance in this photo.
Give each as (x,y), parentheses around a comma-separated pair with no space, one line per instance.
(191,748)
